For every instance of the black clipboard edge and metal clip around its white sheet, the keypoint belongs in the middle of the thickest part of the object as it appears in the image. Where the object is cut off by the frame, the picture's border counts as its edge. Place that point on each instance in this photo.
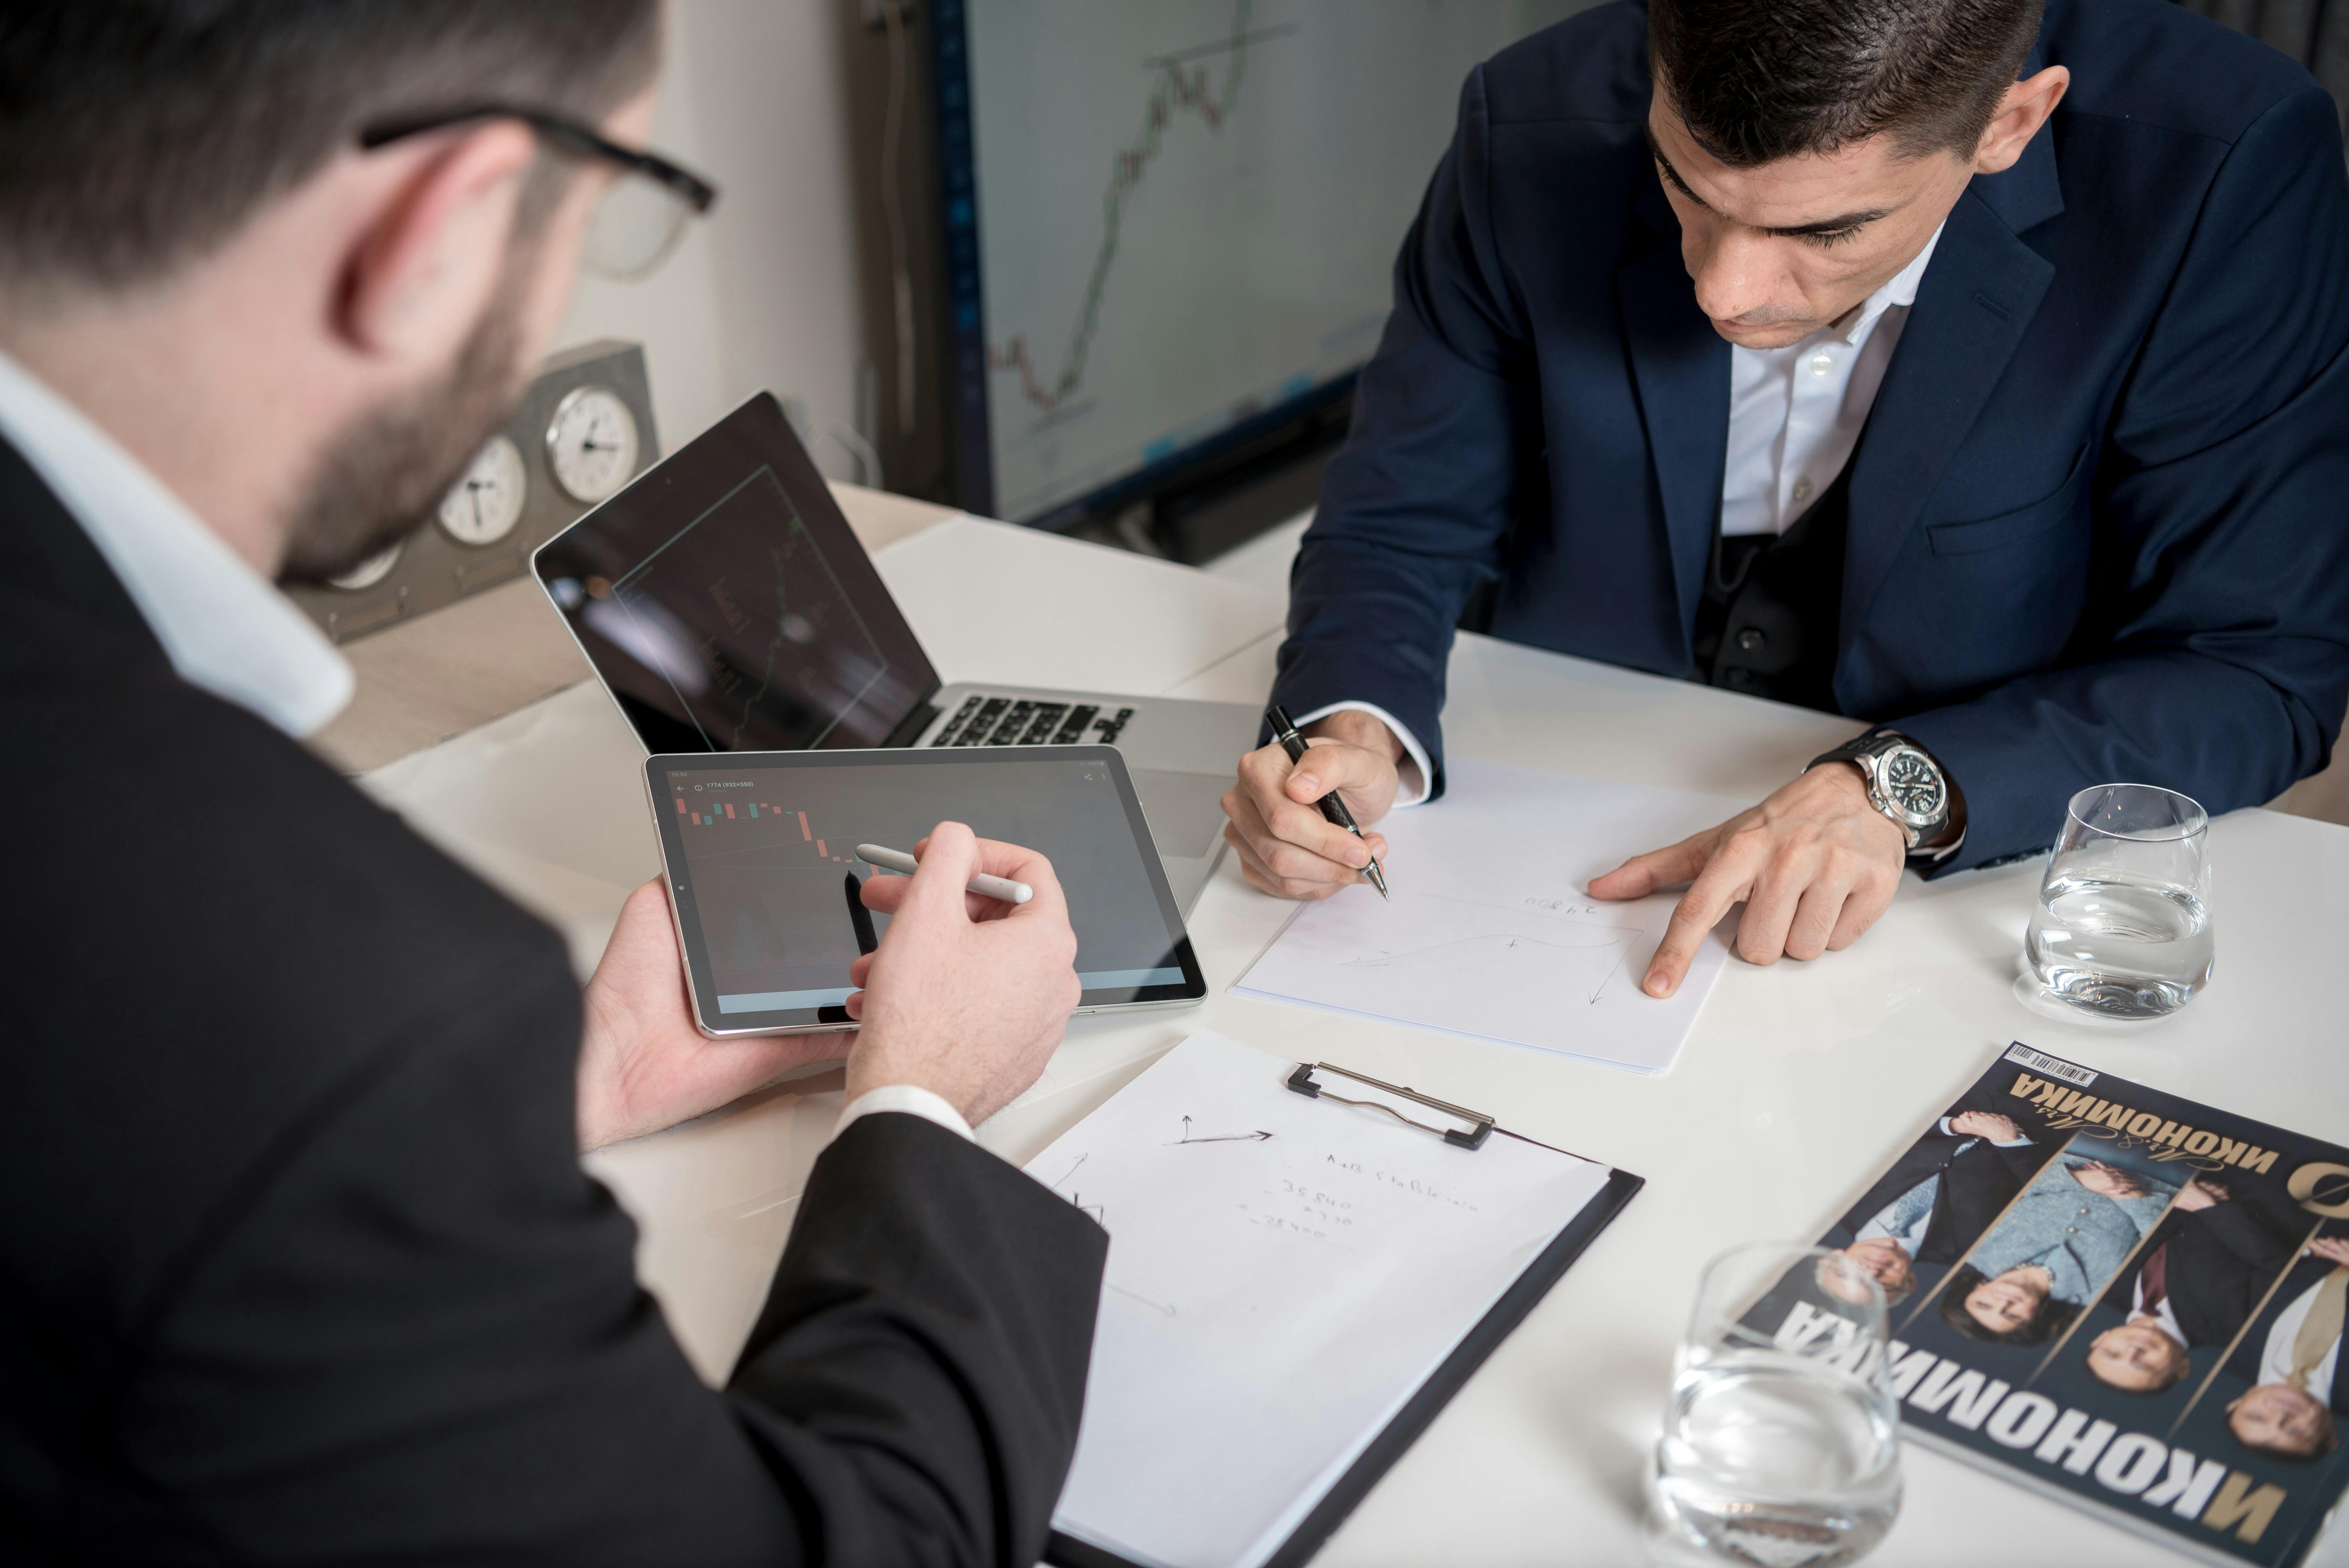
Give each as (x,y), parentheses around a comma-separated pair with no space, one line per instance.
(1394,1440)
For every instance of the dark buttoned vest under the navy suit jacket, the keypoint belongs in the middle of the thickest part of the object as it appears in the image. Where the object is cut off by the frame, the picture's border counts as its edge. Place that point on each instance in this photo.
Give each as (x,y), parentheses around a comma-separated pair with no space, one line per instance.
(1772,609)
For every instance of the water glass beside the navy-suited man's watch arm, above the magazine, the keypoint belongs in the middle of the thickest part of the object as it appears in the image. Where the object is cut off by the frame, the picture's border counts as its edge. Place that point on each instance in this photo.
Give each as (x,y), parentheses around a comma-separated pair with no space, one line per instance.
(2125,924)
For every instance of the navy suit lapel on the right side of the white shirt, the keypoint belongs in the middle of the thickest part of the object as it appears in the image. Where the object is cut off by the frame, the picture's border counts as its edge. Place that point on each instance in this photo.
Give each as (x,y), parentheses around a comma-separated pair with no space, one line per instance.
(1972,311)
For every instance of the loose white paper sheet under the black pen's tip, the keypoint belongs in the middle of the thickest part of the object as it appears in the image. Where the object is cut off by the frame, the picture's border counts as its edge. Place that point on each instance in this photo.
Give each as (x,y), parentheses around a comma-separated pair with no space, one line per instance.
(1490,931)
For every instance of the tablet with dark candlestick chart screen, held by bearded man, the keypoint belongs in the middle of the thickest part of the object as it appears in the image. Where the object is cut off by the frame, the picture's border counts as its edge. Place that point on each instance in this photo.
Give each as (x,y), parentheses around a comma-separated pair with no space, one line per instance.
(765,874)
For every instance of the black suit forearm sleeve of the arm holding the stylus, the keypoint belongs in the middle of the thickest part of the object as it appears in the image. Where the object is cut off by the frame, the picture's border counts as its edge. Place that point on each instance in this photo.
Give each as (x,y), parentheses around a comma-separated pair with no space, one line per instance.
(922,1360)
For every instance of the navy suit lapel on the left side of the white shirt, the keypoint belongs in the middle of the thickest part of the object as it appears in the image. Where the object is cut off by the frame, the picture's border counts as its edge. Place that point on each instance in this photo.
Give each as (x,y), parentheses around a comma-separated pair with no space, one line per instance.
(1683,374)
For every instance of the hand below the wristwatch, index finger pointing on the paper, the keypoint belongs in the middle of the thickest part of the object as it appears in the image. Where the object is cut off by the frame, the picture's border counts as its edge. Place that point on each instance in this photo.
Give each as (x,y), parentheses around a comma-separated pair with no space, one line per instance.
(1815,867)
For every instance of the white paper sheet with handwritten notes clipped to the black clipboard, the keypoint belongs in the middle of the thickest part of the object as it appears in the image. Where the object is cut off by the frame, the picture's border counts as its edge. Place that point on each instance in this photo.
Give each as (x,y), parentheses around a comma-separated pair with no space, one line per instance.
(1284,1273)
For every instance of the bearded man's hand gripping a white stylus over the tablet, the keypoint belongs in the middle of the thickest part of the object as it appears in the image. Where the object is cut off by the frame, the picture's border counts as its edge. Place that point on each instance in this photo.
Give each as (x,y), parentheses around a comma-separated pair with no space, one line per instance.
(967,996)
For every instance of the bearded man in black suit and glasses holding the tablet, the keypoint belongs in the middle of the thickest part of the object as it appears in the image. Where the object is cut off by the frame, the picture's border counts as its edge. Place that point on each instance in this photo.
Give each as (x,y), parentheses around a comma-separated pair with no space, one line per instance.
(299,1262)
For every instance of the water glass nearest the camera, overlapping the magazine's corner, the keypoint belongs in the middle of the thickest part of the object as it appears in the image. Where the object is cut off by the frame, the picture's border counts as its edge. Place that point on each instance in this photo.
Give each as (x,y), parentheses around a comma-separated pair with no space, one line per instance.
(1784,1440)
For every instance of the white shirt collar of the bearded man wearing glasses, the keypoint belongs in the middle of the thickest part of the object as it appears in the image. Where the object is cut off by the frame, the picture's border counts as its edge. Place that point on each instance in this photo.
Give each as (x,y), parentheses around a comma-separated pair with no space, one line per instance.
(222,626)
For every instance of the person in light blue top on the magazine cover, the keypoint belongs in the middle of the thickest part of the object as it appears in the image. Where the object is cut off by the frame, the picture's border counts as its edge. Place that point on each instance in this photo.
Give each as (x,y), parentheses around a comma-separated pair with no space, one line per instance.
(2052,1252)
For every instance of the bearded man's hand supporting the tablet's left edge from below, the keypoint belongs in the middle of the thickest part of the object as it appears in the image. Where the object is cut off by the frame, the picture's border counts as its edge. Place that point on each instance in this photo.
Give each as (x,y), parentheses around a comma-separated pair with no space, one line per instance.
(642,1062)
